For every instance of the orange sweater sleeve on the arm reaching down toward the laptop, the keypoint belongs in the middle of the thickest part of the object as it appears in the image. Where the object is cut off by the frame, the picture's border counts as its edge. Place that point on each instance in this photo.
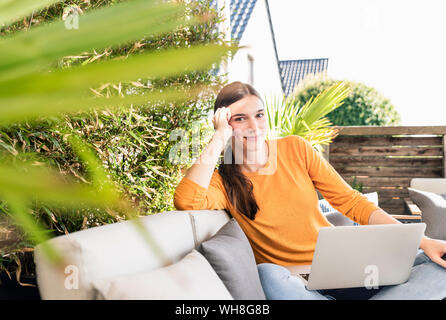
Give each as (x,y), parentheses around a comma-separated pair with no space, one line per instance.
(333,187)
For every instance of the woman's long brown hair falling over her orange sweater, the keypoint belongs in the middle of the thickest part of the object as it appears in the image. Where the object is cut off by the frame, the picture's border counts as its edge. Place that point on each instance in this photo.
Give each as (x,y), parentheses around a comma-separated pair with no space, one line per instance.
(238,187)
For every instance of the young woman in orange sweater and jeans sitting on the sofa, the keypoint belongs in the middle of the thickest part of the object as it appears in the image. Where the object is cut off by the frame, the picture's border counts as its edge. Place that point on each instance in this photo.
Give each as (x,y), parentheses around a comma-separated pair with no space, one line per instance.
(268,186)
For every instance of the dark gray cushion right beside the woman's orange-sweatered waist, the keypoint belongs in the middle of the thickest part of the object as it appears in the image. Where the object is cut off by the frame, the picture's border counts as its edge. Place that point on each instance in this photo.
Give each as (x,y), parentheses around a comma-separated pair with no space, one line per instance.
(231,256)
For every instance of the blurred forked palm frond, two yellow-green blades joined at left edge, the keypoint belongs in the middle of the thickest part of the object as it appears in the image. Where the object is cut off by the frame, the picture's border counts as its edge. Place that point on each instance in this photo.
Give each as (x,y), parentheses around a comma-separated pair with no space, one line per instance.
(69,90)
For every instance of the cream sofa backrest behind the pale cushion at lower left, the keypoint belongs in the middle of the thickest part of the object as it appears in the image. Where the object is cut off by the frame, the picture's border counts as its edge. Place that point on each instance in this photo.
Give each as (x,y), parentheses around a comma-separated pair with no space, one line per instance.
(111,250)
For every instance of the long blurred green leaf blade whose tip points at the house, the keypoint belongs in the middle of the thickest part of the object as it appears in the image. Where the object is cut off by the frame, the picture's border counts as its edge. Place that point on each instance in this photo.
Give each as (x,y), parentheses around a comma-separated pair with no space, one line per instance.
(156,64)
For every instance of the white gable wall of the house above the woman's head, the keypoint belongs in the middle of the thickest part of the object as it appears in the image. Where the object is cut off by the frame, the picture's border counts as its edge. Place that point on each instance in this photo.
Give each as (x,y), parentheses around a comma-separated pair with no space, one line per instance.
(258,38)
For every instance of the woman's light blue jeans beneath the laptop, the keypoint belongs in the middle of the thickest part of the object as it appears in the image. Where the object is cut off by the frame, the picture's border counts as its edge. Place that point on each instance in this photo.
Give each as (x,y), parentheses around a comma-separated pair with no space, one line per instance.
(427,281)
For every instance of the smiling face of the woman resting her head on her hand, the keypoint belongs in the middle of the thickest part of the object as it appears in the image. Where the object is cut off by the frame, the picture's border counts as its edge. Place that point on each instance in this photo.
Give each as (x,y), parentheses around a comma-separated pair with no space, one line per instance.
(248,120)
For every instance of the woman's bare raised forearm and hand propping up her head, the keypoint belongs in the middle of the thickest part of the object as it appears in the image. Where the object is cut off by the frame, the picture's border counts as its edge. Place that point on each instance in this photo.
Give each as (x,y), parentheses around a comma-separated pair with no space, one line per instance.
(203,168)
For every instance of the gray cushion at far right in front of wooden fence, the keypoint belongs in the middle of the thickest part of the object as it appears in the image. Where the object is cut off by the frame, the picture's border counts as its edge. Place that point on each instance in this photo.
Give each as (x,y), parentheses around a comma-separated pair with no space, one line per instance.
(433,209)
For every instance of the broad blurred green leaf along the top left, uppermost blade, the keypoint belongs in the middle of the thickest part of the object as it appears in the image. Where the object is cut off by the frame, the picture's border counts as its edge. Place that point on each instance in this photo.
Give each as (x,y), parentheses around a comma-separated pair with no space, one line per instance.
(33,50)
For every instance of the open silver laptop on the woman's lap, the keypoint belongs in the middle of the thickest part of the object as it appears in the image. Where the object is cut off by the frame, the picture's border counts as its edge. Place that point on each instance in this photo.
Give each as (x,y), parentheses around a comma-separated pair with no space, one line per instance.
(362,256)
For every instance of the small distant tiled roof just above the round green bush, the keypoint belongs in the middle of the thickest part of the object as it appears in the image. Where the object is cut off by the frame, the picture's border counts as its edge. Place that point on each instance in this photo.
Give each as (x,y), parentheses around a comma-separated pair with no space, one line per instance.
(293,71)
